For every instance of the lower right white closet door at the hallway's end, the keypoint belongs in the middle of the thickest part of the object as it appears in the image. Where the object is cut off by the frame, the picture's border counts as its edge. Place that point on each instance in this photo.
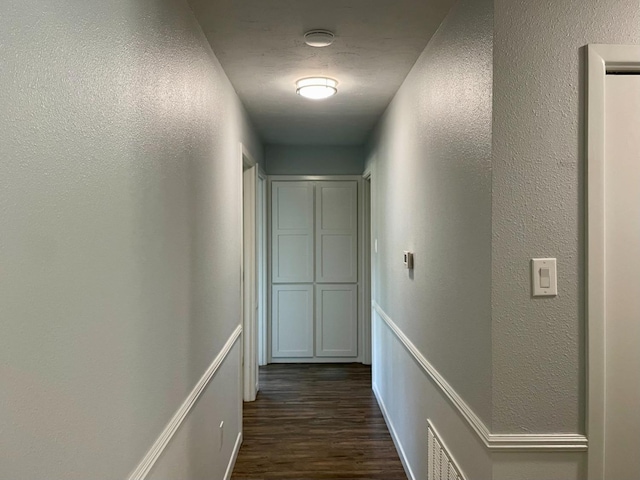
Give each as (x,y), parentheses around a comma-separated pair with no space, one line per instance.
(336,320)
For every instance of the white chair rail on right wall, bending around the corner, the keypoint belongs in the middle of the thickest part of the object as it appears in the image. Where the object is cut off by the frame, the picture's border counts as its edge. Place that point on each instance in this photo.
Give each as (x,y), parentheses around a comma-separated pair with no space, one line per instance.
(494,442)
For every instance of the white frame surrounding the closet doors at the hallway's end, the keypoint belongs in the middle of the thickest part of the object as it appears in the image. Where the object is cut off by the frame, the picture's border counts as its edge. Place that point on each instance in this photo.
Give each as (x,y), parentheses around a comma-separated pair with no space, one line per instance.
(361,298)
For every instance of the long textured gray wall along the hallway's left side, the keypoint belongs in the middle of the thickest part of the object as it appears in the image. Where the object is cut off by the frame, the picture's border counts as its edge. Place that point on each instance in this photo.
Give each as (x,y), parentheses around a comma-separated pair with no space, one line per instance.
(119,201)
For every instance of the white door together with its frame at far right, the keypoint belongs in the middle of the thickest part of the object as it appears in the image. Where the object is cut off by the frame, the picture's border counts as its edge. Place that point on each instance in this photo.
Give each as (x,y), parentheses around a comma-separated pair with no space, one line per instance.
(613,233)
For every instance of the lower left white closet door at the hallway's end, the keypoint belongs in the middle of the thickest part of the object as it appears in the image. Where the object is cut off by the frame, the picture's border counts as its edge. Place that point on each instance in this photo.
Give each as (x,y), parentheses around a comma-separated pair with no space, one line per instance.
(292,321)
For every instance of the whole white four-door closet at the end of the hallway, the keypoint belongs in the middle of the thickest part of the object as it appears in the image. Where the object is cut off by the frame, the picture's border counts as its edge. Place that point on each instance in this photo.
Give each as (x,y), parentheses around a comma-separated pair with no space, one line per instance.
(319,273)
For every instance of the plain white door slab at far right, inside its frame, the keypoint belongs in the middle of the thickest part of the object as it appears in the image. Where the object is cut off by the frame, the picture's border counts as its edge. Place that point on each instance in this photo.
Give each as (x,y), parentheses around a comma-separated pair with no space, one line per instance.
(622,281)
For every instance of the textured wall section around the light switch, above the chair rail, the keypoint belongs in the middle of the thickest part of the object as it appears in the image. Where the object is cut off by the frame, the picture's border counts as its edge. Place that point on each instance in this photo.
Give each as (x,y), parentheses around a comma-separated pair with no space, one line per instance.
(538,204)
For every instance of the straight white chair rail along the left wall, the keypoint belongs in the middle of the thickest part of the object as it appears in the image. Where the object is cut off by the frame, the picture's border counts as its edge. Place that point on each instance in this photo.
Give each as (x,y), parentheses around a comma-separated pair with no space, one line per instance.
(147,463)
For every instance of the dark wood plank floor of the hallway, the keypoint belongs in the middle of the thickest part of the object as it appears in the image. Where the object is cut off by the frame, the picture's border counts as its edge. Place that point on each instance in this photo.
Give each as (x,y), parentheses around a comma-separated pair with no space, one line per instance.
(313,422)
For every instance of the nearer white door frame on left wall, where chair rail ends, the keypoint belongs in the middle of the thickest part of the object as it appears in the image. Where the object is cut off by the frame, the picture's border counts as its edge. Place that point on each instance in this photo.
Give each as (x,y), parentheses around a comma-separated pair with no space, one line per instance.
(249,273)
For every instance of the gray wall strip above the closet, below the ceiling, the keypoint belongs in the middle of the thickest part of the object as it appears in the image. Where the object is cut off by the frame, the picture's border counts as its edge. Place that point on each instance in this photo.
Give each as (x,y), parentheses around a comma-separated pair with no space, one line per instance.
(314,160)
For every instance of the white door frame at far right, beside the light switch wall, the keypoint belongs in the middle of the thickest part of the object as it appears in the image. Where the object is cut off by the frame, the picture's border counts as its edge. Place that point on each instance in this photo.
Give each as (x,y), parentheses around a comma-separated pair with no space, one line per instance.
(601,59)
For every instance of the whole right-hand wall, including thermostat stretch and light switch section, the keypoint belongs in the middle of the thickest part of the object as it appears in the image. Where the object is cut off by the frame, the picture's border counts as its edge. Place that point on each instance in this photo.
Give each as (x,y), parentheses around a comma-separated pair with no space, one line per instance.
(497,195)
